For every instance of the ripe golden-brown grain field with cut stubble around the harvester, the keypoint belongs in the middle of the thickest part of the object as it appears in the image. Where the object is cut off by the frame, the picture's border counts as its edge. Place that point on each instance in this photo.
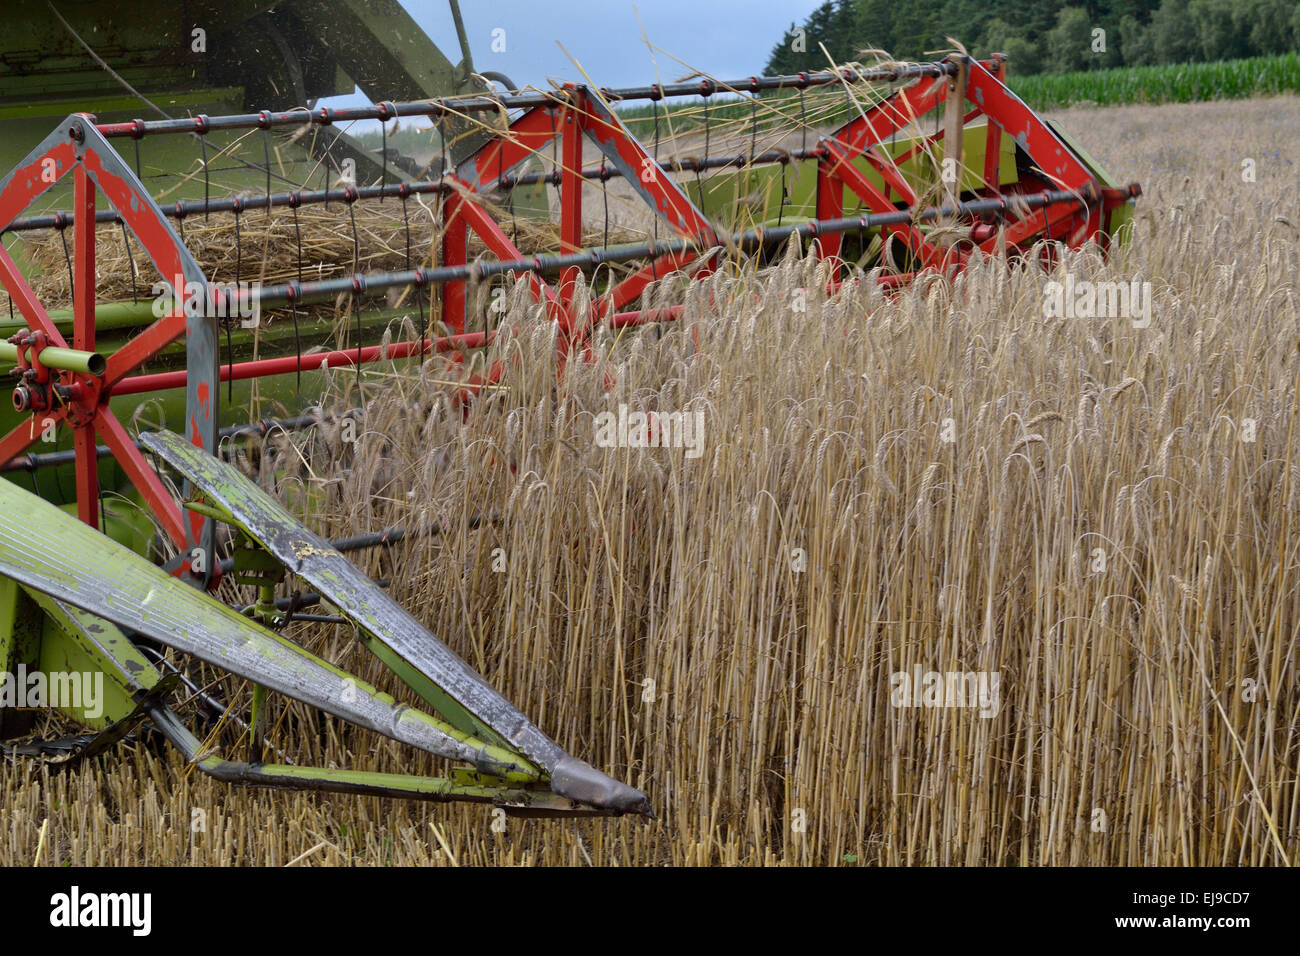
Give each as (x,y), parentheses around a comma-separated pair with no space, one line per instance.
(1107,517)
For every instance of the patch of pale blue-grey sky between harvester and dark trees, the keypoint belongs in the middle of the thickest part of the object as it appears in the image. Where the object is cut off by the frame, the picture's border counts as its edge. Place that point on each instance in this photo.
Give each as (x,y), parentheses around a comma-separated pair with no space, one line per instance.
(723,38)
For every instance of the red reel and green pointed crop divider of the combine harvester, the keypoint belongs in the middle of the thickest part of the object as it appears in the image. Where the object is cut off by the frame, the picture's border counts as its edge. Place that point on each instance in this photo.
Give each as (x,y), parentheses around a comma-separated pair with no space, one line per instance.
(88,591)
